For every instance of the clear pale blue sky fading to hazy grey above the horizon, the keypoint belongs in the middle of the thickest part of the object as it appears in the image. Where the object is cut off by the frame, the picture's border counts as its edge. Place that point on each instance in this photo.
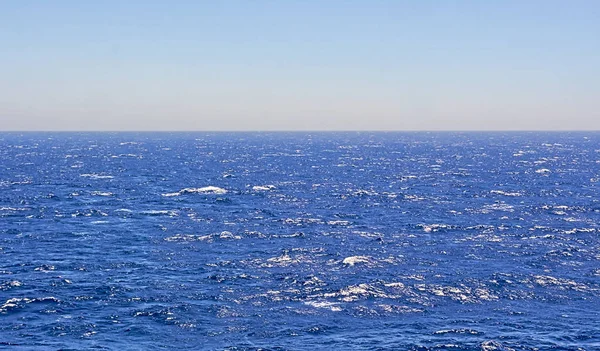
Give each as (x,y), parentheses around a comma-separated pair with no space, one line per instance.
(299,65)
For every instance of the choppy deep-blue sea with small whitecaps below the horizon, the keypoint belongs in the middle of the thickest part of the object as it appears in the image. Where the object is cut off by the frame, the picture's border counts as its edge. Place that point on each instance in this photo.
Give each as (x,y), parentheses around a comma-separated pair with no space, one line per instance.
(300,241)
